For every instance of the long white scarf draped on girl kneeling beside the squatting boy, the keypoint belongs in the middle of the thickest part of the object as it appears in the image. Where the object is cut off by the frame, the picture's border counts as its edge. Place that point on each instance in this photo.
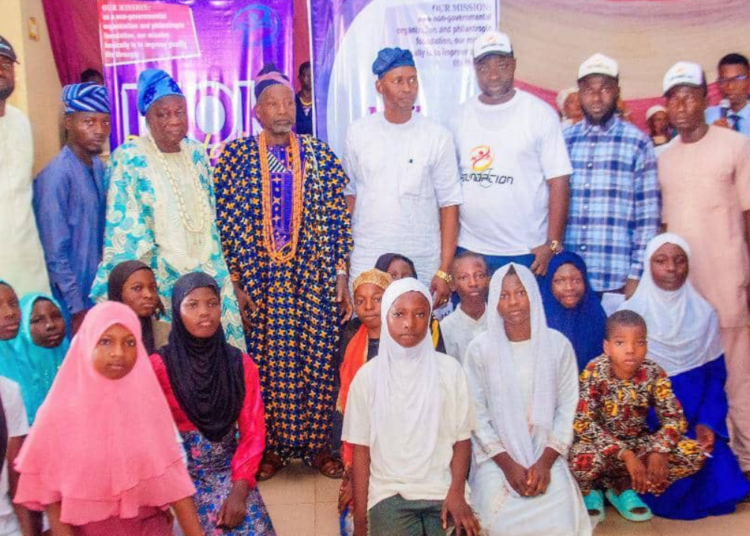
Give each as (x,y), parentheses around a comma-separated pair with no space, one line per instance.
(509,417)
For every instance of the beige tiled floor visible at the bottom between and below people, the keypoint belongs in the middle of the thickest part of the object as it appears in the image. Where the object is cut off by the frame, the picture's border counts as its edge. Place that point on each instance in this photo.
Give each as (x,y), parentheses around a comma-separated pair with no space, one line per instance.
(303,503)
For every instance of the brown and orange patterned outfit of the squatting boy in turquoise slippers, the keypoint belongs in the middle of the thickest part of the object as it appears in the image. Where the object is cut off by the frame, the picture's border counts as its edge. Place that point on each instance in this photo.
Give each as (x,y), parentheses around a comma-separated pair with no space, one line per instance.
(611,418)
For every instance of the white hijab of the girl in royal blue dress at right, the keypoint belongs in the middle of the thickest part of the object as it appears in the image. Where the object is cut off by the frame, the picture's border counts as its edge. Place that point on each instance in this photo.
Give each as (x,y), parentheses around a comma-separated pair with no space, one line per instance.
(683,329)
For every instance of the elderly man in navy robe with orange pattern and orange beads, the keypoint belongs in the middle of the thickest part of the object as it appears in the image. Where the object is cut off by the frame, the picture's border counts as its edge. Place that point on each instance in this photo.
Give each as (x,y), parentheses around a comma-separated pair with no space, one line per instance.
(286,236)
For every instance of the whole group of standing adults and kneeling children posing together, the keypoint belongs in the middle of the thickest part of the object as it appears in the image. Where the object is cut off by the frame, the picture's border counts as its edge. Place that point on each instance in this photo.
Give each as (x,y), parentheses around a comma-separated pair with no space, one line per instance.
(589,354)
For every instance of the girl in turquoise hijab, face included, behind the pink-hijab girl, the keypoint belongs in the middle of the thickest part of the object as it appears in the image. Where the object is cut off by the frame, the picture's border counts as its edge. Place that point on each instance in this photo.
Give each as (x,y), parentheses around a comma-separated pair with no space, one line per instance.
(40,346)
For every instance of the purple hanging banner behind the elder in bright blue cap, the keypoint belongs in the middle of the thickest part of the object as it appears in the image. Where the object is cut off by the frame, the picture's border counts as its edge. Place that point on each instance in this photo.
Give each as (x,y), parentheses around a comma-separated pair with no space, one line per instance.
(212,49)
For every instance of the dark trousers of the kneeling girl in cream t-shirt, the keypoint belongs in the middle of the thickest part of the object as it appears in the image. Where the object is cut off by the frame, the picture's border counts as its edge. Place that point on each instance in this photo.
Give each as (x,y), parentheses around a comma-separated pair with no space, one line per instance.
(397,516)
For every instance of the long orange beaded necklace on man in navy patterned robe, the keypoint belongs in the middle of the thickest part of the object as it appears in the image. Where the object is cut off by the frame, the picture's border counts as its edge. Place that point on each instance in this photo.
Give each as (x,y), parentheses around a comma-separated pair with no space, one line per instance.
(269,240)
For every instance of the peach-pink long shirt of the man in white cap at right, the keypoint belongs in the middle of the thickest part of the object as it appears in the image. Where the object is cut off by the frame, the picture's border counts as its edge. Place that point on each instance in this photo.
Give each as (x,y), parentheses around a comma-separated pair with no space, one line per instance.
(706,189)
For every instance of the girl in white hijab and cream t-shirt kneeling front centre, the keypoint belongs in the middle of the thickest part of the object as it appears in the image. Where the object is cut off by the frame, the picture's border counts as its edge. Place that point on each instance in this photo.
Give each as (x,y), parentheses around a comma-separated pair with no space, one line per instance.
(410,419)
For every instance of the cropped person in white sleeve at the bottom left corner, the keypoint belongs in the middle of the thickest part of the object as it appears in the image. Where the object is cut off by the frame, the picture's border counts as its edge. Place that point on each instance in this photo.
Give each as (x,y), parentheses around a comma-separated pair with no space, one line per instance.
(18,427)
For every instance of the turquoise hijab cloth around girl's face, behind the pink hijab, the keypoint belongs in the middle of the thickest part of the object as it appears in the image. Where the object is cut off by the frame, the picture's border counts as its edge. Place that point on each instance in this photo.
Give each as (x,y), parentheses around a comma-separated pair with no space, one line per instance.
(36,367)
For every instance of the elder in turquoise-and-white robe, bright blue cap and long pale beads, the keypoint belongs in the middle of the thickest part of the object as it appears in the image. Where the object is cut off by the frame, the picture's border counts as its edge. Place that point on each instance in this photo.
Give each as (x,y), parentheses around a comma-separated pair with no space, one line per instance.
(161,208)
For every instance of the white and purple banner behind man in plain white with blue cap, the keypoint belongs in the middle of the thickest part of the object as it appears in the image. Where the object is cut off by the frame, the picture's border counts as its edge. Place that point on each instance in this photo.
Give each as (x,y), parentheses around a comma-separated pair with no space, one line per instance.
(347,34)
